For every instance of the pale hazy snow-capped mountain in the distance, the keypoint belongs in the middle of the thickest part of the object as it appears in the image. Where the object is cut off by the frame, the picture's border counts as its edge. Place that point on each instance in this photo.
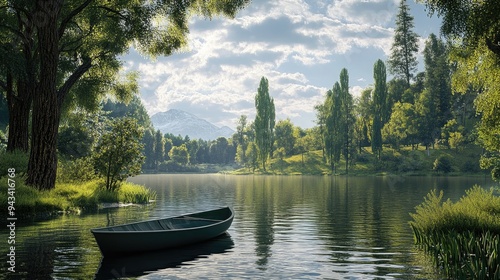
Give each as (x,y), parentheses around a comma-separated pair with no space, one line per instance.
(183,123)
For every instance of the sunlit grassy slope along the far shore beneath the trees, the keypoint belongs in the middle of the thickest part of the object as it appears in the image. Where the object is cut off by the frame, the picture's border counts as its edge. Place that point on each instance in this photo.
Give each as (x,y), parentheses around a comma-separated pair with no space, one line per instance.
(402,162)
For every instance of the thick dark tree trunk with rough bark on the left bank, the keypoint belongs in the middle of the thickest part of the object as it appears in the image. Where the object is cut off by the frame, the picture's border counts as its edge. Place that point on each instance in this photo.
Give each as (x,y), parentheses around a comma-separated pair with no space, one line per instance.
(46,115)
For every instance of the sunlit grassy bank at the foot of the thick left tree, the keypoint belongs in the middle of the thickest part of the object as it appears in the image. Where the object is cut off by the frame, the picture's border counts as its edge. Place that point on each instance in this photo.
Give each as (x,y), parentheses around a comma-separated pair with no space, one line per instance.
(70,197)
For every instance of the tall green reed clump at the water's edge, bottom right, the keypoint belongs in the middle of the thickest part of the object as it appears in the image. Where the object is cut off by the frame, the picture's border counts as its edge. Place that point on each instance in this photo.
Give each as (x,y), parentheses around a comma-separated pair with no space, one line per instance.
(462,237)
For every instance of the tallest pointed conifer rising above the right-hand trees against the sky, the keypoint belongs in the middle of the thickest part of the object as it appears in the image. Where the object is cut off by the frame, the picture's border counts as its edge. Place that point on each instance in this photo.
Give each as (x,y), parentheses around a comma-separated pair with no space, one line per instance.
(403,58)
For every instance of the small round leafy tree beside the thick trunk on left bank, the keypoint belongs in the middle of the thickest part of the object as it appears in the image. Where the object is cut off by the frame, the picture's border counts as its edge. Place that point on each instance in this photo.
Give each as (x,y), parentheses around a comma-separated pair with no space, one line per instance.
(118,155)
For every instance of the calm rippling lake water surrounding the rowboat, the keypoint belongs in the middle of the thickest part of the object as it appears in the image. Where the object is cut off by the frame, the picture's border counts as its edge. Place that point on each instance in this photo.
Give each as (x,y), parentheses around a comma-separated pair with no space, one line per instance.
(285,227)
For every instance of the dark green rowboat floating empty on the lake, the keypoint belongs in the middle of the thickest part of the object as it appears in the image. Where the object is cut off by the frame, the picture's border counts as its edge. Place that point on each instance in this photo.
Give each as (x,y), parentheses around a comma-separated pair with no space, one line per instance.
(163,233)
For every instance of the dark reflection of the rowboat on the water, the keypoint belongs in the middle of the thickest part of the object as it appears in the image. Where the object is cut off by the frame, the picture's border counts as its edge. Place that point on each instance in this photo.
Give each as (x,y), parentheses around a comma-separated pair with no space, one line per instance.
(146,263)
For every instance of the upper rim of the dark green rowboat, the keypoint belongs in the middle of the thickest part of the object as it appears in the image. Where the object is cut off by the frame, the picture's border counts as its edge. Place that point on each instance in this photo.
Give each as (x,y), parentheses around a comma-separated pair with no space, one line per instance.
(103,230)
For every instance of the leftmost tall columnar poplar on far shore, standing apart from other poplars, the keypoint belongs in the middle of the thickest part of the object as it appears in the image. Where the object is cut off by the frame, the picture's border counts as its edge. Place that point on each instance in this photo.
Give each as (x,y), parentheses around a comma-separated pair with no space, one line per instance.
(264,121)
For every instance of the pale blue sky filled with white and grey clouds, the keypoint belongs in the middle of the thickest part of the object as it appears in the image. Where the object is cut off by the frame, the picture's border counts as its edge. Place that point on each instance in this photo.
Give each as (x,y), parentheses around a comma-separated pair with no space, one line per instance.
(300,46)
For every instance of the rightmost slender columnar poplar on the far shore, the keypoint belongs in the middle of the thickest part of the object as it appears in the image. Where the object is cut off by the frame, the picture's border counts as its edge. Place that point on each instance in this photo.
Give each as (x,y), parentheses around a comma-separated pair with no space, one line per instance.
(379,104)
